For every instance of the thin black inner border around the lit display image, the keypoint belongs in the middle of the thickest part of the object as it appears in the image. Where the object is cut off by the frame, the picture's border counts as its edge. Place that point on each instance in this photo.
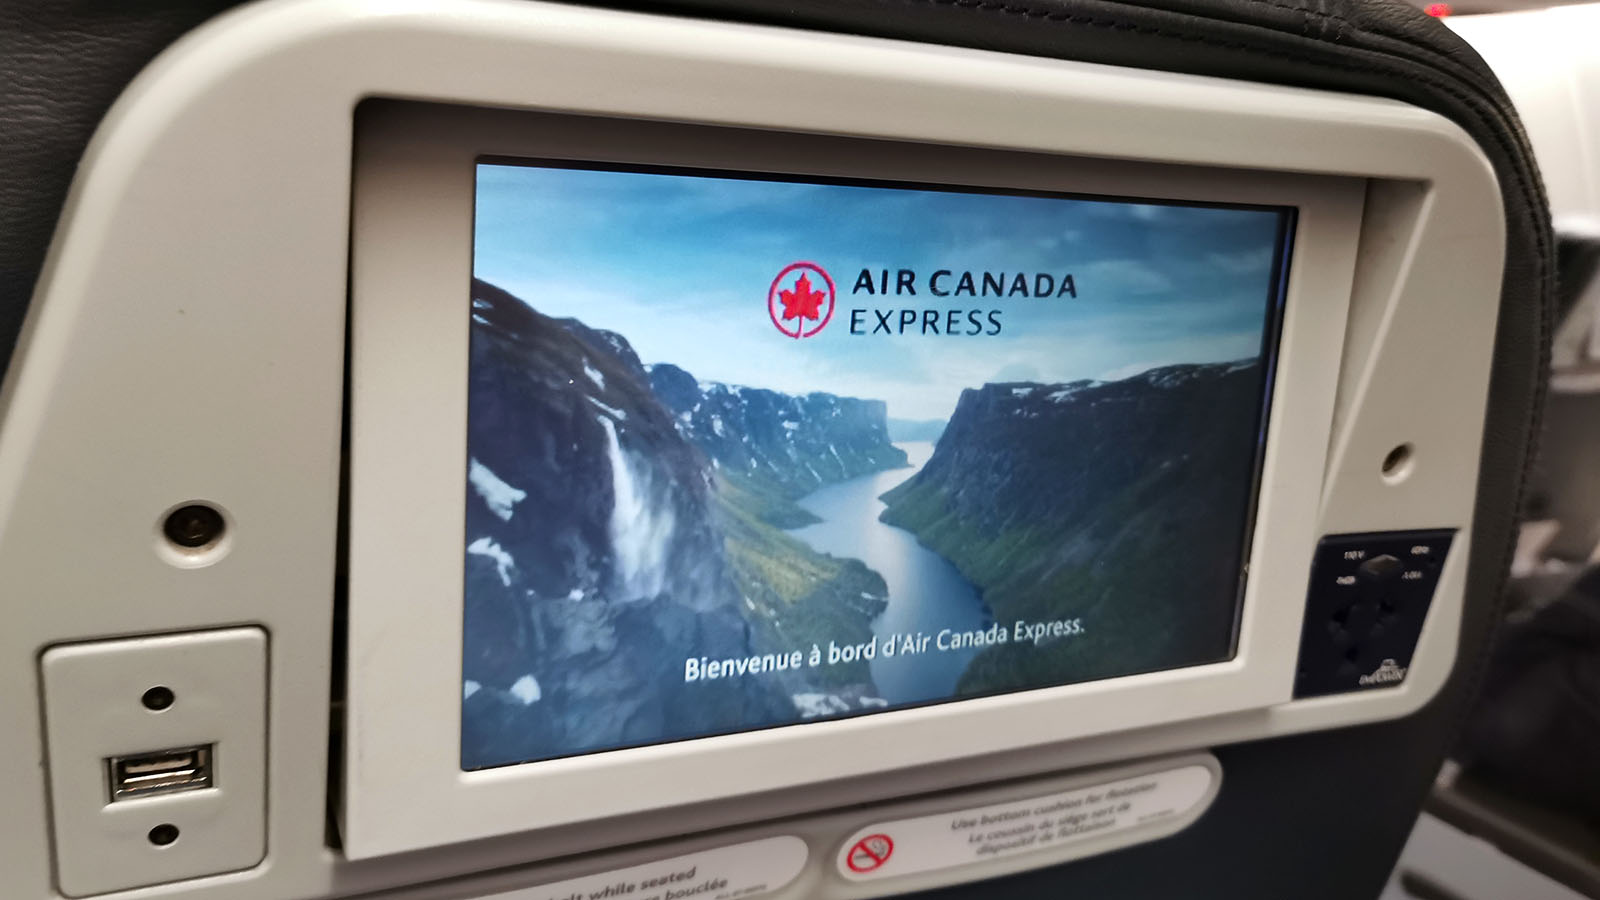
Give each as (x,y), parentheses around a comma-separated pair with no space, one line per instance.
(1271,332)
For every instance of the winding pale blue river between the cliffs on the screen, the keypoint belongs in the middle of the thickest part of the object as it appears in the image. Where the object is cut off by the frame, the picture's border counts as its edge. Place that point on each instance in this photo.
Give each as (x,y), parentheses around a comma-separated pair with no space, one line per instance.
(927,593)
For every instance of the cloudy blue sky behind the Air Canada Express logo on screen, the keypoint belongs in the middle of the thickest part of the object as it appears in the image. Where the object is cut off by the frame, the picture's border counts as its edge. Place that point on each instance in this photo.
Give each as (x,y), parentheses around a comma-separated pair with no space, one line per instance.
(681,267)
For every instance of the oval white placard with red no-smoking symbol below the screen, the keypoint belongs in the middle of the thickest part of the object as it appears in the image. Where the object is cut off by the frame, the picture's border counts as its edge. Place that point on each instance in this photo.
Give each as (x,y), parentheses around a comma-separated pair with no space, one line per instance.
(969,837)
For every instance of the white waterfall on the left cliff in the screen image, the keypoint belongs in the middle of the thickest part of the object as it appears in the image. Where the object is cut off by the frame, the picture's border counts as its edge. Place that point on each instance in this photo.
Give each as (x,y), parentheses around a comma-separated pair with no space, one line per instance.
(641,529)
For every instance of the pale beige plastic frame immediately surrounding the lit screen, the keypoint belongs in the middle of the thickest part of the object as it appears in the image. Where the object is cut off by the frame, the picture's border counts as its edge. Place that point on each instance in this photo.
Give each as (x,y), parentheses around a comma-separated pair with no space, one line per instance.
(410,271)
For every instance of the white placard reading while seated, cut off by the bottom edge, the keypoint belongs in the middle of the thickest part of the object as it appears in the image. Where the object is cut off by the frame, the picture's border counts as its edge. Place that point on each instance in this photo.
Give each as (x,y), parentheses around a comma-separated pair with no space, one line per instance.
(724,874)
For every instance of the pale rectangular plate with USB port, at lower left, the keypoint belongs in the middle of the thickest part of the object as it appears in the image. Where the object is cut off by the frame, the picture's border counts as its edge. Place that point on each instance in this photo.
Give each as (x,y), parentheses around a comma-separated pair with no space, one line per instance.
(158,758)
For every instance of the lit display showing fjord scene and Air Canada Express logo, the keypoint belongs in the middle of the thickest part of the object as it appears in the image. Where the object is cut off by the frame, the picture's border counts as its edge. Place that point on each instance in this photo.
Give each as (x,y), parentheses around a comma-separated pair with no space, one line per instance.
(756,451)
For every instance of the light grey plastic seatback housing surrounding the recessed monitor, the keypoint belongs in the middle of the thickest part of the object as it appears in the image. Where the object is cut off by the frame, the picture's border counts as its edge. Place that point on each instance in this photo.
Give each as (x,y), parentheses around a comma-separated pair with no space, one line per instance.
(209,231)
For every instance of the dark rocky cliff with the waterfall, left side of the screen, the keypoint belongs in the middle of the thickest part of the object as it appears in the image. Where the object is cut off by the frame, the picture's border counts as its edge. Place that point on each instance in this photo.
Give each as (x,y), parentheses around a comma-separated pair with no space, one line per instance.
(602,550)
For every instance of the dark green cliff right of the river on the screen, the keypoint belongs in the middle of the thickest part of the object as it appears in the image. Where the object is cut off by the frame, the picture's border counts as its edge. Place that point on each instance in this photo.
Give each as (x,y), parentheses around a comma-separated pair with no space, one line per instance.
(1121,504)
